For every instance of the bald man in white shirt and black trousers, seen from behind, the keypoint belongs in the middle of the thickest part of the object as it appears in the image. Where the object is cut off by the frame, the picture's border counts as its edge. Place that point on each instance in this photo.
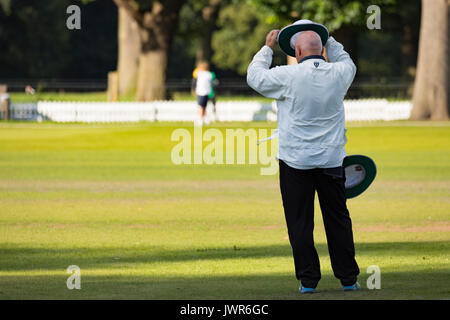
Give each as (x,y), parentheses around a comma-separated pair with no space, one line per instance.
(312,138)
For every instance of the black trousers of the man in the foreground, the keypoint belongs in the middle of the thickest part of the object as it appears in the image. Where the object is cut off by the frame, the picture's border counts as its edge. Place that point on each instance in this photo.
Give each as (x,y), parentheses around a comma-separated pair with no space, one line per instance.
(298,189)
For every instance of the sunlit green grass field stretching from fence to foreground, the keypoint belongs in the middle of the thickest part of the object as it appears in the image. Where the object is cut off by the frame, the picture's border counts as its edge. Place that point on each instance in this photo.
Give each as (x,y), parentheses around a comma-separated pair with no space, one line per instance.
(108,199)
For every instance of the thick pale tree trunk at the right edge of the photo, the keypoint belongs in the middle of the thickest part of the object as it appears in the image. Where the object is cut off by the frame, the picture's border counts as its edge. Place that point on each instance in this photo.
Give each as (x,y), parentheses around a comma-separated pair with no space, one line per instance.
(431,88)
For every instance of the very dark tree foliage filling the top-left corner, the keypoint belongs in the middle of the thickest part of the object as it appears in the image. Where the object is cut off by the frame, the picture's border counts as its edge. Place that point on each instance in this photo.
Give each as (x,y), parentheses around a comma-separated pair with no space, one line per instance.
(36,44)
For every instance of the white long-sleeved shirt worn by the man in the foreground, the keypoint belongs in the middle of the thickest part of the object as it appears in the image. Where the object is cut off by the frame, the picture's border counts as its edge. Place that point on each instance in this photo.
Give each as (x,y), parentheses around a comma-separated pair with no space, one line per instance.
(310,95)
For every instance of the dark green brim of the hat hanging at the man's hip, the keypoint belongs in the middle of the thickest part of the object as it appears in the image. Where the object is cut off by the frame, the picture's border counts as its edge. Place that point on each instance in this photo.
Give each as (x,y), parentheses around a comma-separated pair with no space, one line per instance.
(370,173)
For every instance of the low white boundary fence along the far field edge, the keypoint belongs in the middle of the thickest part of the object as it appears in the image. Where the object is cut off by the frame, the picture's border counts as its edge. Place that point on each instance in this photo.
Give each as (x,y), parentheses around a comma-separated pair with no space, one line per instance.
(355,110)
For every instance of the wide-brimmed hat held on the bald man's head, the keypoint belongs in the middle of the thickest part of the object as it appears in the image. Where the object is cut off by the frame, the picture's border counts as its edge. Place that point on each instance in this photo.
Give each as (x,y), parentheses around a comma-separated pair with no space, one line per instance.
(286,39)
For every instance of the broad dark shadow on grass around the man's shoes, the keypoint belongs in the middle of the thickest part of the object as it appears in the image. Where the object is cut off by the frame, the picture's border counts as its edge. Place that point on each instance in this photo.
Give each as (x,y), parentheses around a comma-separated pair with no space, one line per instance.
(423,284)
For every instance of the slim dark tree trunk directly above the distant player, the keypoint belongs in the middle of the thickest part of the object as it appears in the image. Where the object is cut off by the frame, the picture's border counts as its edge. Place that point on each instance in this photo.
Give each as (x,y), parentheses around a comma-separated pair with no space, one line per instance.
(210,15)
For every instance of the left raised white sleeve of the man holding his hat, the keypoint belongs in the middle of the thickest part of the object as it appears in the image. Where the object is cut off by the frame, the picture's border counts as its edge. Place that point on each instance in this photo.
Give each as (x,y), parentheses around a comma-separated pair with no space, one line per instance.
(271,83)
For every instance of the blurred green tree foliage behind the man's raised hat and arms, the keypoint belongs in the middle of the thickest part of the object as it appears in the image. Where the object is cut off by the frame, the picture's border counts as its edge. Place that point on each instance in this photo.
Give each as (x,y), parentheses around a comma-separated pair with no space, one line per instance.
(342,18)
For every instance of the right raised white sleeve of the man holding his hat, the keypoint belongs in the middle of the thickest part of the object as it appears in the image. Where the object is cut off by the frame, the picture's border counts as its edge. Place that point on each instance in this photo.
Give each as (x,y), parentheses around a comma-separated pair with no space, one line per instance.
(342,61)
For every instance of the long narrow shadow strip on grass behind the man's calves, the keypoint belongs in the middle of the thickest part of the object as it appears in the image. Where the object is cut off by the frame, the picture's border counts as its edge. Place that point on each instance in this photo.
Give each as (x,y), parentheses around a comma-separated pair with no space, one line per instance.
(26,258)
